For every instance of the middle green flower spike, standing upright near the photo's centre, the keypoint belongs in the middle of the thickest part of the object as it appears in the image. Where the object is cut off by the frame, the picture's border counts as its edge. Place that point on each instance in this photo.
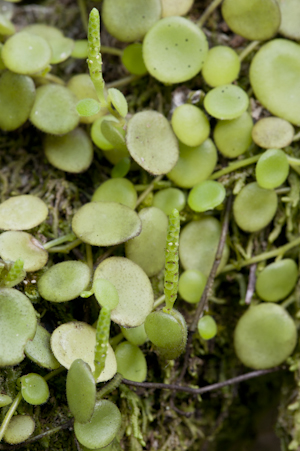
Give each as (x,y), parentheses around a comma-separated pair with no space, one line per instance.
(171,263)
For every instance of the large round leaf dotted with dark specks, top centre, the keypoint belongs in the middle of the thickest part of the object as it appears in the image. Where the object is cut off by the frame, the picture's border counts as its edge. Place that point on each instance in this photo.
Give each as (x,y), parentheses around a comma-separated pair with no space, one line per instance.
(174,50)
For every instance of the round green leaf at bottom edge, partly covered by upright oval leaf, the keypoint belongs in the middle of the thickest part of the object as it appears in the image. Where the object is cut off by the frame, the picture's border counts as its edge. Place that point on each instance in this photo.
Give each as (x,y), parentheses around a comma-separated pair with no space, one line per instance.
(102,428)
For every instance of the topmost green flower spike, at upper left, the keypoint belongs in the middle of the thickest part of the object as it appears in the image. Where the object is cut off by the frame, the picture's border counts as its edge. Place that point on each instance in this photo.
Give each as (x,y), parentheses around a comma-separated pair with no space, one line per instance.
(94,56)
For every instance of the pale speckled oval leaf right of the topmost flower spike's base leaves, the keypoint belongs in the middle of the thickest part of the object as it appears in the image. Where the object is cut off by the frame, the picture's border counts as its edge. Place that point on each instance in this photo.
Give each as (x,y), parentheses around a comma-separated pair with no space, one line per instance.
(151,142)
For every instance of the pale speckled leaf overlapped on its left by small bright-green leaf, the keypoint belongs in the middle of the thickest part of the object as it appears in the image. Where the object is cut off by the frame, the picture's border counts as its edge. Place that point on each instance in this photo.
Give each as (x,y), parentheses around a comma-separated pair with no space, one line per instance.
(134,289)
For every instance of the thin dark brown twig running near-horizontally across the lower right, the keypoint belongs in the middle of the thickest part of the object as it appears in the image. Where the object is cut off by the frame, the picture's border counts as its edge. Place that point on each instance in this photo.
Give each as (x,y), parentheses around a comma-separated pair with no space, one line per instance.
(207,388)
